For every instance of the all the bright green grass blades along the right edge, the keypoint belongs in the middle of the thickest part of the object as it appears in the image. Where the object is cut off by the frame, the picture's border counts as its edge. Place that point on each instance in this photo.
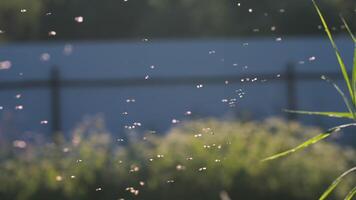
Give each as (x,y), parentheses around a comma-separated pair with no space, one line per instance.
(349,100)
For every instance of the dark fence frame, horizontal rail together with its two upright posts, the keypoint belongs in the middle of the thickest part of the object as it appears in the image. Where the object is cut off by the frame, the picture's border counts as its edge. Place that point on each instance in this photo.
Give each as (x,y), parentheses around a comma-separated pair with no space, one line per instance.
(55,83)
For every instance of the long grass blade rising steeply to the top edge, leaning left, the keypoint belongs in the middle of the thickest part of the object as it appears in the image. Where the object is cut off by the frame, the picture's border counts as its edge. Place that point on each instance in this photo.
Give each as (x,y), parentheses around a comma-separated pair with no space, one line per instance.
(338,56)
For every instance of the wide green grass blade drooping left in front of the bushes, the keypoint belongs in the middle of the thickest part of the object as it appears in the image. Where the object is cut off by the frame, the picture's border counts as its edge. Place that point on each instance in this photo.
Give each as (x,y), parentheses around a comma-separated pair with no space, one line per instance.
(309,142)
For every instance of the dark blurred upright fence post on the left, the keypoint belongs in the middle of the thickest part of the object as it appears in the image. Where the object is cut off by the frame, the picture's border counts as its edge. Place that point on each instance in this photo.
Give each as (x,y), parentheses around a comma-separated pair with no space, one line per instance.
(55,104)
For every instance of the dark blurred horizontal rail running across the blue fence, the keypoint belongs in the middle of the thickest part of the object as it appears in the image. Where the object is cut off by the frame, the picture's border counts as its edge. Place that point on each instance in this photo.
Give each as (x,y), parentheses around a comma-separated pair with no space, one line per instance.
(140,82)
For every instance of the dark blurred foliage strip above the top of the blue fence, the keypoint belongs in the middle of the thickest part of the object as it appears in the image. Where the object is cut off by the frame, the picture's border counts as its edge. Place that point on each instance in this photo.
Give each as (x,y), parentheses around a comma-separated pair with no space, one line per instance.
(107,19)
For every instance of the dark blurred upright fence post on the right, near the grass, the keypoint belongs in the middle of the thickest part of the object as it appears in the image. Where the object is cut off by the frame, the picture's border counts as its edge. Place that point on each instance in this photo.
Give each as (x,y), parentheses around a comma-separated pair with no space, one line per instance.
(292,101)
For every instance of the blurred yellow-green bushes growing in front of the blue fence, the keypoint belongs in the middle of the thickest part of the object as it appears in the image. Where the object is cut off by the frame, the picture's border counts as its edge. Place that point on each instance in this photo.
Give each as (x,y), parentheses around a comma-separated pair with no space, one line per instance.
(202,159)
